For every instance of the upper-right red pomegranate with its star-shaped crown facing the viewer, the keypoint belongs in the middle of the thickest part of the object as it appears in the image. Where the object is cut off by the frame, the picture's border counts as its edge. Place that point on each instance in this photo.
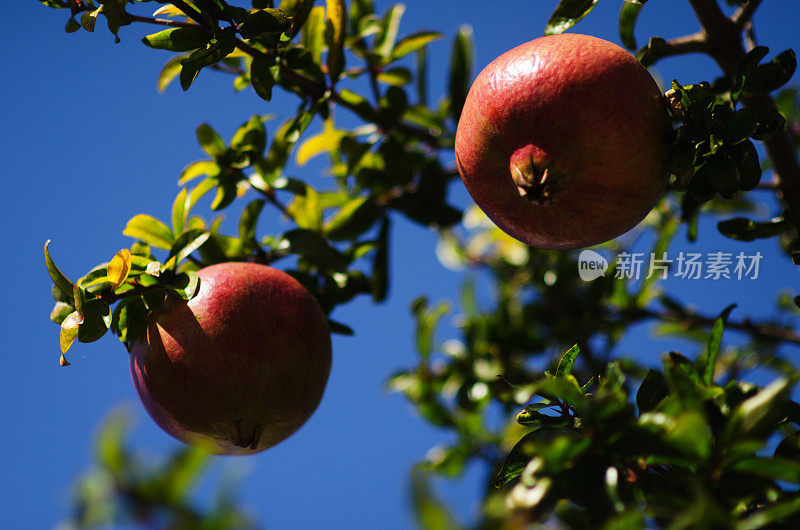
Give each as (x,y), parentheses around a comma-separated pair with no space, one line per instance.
(563,141)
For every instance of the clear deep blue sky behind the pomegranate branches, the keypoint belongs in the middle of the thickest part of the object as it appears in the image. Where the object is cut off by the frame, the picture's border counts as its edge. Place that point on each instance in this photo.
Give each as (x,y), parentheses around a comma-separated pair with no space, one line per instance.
(88,142)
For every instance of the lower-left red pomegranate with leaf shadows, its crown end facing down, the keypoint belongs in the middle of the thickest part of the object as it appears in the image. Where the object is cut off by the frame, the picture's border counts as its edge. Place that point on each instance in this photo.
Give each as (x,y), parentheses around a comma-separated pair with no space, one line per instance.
(239,367)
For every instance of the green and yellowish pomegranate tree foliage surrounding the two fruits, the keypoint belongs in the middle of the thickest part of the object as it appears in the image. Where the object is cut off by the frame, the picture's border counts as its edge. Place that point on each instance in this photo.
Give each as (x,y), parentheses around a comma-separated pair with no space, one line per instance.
(694,445)
